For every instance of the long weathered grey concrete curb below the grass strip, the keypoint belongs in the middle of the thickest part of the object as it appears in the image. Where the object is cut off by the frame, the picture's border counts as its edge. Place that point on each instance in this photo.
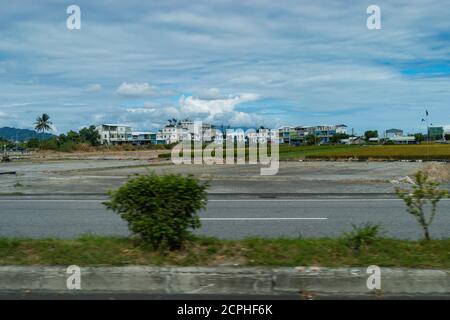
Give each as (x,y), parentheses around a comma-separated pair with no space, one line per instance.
(226,280)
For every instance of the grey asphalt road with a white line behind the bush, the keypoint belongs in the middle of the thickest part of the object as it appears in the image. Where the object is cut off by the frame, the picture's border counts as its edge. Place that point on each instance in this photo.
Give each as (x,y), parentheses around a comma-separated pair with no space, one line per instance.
(229,217)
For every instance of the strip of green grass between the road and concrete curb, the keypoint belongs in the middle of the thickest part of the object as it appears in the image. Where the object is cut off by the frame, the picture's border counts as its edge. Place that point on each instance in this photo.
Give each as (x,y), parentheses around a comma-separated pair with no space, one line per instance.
(108,251)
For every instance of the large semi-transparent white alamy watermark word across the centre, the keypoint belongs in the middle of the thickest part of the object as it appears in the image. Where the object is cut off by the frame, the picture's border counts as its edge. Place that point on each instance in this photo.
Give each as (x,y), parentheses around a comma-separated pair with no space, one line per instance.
(212,146)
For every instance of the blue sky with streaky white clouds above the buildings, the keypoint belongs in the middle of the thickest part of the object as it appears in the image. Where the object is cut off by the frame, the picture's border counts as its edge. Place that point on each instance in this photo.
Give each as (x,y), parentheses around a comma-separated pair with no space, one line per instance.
(241,63)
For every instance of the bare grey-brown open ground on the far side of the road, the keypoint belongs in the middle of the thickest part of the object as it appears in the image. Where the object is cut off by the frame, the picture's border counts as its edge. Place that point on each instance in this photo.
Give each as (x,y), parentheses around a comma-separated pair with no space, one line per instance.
(97,175)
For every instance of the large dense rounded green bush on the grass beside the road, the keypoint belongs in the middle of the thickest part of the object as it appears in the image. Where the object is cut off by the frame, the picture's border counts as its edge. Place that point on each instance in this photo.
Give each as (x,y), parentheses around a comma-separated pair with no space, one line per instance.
(160,209)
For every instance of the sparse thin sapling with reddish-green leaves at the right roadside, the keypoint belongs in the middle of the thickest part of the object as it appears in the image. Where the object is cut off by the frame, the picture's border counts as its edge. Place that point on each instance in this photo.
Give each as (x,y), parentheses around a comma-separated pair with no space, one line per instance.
(424,193)
